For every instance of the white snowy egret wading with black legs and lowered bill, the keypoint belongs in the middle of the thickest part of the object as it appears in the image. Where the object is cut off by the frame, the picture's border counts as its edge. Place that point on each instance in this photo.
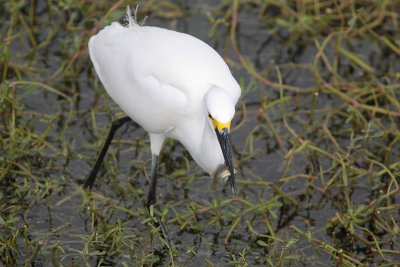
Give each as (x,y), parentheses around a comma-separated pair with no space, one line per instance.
(174,86)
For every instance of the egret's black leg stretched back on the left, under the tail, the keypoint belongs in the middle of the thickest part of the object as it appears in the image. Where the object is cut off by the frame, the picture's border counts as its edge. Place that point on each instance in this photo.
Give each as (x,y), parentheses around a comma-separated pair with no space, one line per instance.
(114,127)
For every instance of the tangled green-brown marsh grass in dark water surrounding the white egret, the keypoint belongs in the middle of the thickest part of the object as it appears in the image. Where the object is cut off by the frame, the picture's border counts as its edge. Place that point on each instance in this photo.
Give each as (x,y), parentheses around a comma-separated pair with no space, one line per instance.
(316,140)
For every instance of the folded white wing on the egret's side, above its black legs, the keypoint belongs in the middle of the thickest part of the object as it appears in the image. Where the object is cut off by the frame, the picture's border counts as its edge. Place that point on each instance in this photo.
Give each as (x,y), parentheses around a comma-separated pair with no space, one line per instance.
(140,92)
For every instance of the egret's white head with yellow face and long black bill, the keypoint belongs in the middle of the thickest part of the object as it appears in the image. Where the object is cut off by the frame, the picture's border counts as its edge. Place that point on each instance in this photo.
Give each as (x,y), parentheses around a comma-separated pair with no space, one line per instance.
(221,109)
